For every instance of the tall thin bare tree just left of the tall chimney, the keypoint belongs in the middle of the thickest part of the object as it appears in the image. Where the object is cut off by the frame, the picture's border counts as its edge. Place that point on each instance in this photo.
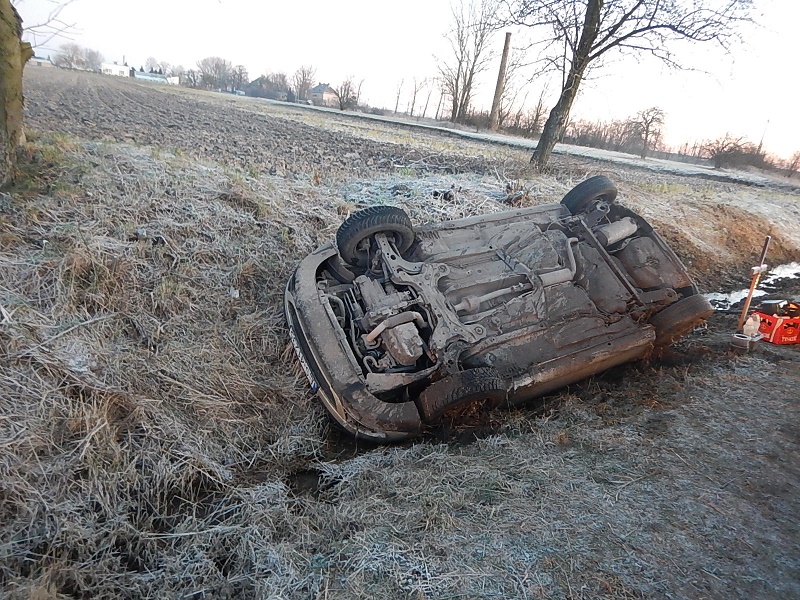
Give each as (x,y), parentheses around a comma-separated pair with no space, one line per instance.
(470,54)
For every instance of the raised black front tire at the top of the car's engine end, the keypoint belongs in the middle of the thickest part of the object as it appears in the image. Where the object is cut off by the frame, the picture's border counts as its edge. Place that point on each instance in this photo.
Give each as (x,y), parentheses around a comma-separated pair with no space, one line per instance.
(366,223)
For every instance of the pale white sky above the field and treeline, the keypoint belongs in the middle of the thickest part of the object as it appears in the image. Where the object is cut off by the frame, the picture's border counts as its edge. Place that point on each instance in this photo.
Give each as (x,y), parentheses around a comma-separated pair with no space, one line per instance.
(745,93)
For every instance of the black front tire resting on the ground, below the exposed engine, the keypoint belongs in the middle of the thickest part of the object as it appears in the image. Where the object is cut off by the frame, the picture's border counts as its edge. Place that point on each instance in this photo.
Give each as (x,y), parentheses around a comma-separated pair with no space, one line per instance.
(461,389)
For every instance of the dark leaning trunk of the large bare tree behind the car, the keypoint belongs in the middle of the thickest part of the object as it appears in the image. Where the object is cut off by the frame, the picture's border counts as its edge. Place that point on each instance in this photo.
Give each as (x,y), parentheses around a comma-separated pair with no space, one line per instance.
(557,120)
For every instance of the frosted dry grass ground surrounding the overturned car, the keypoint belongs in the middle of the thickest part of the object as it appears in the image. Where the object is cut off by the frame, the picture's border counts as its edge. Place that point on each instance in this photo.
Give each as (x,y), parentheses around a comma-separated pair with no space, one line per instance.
(158,439)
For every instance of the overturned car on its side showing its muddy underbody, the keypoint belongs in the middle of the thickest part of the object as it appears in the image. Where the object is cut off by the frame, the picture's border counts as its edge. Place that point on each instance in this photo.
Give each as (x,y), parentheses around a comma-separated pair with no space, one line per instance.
(396,325)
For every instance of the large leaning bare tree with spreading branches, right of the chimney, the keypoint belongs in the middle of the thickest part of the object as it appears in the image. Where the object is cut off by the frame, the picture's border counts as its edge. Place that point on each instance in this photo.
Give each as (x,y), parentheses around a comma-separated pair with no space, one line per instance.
(579,32)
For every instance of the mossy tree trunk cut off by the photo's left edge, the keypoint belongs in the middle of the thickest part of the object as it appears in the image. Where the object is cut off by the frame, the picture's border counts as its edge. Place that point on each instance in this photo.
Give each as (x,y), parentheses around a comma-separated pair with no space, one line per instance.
(13,55)
